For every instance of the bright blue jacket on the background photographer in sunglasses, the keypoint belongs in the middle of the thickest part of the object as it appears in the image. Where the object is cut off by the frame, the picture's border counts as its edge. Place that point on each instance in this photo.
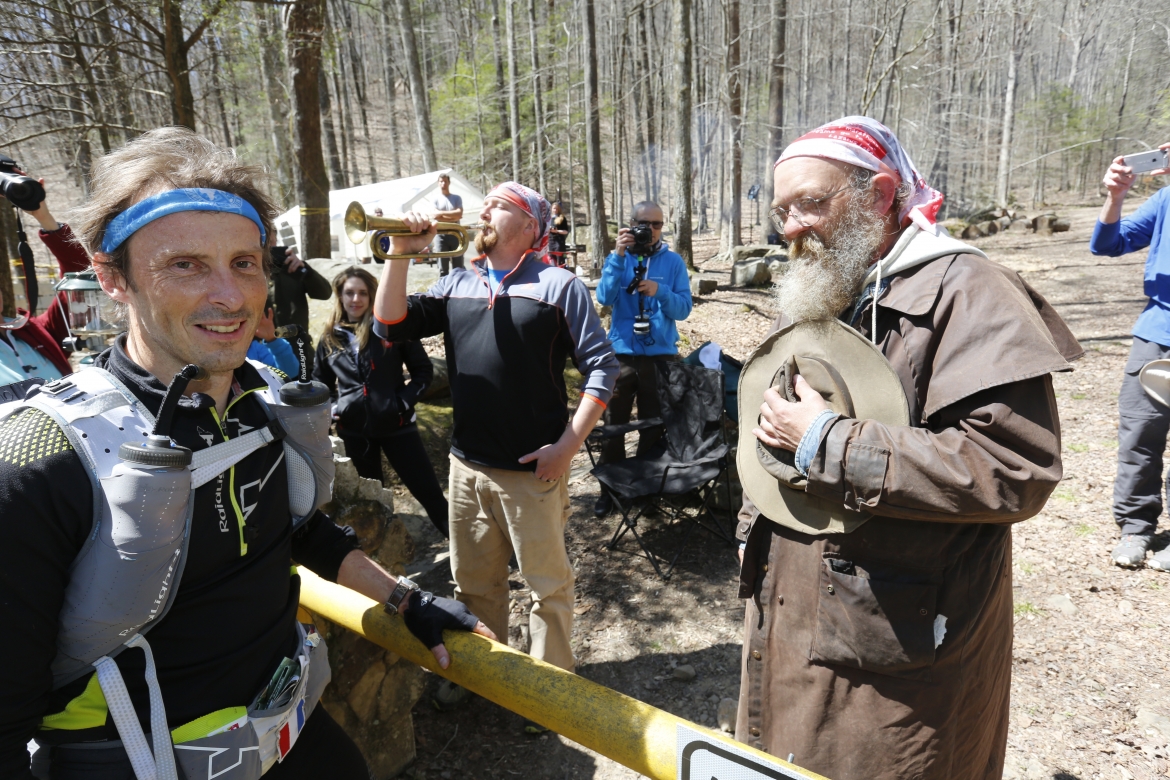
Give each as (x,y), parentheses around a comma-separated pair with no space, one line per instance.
(671,305)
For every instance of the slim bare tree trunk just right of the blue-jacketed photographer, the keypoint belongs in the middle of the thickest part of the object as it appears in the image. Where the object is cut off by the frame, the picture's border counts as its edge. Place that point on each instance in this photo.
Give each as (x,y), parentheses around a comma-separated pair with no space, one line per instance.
(684,163)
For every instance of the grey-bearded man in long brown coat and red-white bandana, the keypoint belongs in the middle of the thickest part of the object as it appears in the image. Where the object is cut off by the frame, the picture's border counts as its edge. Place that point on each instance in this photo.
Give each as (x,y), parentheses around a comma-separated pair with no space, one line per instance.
(884,650)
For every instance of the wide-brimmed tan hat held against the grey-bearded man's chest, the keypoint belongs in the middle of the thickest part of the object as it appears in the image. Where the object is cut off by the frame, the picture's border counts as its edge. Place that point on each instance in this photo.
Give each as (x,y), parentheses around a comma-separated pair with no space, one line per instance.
(857,382)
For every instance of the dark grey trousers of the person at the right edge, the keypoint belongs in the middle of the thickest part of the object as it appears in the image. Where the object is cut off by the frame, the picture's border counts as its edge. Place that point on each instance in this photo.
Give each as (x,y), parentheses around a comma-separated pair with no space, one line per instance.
(1141,441)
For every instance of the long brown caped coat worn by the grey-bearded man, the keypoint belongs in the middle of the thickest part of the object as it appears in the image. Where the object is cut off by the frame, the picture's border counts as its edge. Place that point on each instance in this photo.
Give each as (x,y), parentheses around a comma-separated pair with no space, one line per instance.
(885,654)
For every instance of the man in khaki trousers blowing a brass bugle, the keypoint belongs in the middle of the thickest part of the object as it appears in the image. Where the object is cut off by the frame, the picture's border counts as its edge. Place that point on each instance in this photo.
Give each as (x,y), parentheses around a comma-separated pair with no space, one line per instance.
(511,322)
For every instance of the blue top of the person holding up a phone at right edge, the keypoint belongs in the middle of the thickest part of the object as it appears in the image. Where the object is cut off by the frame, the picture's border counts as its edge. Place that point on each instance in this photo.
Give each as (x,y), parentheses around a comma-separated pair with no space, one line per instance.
(1150,226)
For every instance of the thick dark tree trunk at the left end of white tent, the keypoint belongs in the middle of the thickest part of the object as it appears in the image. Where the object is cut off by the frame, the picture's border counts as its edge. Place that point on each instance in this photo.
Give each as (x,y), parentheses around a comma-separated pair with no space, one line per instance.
(304,25)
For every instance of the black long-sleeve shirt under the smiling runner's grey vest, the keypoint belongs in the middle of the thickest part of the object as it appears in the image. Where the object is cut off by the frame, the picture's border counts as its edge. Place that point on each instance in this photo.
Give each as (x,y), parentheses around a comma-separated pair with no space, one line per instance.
(233,617)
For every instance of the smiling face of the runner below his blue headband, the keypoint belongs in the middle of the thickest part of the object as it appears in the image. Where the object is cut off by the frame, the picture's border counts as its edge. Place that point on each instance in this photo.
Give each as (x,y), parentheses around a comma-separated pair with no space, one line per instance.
(199,289)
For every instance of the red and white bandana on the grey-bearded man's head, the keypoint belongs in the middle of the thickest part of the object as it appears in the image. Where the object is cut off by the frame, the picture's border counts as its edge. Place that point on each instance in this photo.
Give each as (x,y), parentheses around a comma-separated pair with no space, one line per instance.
(871,146)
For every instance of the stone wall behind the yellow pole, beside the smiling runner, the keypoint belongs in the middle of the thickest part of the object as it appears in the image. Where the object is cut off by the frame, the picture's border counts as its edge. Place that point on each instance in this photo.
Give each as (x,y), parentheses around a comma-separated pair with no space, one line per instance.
(374,691)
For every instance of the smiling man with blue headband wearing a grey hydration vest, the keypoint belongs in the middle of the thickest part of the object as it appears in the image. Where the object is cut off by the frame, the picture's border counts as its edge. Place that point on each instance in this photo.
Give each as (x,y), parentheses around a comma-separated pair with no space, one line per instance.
(152,513)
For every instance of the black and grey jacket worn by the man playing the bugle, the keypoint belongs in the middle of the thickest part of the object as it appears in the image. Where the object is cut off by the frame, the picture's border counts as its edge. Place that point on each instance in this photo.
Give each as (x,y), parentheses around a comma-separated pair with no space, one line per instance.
(506,356)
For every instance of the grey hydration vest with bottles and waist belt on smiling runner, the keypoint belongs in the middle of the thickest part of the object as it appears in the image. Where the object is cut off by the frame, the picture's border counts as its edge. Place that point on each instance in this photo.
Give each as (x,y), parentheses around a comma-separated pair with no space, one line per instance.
(125,578)
